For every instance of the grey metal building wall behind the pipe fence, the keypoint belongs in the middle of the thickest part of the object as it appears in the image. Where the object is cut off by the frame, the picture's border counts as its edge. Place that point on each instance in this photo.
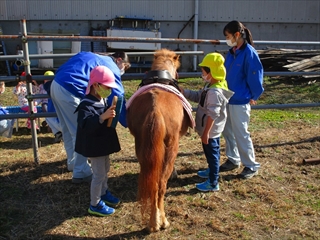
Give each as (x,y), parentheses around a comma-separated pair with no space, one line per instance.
(276,20)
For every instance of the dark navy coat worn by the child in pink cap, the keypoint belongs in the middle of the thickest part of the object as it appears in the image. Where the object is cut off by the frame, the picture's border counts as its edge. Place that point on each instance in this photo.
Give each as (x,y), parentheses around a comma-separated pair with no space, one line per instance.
(94,139)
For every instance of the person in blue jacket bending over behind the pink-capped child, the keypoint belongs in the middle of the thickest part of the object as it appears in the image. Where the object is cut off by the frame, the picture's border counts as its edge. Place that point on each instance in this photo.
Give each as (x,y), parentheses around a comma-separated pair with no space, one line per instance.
(67,90)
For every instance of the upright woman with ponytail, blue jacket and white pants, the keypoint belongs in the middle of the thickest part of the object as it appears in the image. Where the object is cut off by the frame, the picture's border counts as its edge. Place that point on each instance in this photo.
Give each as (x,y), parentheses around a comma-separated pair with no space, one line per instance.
(245,79)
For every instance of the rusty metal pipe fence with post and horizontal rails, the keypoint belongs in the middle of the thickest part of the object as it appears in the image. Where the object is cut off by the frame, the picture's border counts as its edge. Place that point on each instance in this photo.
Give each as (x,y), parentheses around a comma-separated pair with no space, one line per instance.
(24,37)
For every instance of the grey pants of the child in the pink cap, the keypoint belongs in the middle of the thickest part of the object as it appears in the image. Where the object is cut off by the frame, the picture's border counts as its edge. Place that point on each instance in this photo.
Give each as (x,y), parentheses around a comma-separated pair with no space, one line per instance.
(99,184)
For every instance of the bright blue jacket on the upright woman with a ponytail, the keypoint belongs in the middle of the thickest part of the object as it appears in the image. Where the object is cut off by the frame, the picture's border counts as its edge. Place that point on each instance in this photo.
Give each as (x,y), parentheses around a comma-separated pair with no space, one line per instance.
(244,74)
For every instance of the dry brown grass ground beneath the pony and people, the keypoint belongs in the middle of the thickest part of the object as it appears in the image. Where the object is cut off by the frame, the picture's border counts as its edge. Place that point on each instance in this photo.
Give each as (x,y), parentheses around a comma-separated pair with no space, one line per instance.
(282,202)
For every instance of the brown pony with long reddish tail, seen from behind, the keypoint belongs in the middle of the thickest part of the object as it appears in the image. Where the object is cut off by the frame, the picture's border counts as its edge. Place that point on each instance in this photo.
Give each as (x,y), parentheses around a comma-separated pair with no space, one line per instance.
(156,118)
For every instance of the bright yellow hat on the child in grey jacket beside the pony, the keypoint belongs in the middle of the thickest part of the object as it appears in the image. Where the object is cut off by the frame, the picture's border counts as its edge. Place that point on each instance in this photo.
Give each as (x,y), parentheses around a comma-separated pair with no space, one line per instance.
(215,61)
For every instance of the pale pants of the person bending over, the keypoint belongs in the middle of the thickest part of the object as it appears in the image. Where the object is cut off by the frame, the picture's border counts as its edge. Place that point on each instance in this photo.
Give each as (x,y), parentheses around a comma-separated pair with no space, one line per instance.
(65,104)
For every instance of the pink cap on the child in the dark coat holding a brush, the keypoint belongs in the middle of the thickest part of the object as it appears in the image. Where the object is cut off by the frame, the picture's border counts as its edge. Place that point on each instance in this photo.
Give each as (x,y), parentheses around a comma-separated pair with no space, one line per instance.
(102,75)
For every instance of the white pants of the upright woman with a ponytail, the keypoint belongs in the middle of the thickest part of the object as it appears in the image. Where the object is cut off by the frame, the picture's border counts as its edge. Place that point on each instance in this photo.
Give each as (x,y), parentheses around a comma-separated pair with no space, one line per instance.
(239,147)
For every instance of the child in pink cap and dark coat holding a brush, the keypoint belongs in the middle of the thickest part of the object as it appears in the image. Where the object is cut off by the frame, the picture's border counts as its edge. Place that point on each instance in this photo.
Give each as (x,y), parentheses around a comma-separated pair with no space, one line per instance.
(96,140)
